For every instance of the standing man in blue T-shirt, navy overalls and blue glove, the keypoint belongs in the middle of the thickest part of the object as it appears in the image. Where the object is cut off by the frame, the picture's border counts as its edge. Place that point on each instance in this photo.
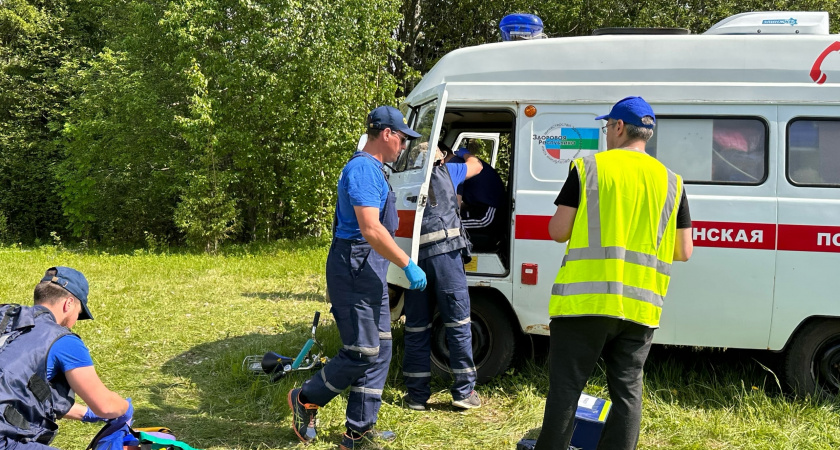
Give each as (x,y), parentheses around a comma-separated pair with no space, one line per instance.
(362,247)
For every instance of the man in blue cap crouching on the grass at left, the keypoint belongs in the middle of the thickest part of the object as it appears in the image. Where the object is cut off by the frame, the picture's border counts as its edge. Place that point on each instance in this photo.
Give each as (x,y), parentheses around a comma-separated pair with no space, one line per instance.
(43,365)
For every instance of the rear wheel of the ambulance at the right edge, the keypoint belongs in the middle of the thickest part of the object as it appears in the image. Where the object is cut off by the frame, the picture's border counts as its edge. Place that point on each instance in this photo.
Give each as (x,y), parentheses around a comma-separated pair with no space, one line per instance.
(812,362)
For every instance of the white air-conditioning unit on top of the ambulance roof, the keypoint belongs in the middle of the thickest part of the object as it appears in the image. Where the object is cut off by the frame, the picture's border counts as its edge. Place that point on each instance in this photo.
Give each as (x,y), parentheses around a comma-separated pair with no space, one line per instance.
(780,22)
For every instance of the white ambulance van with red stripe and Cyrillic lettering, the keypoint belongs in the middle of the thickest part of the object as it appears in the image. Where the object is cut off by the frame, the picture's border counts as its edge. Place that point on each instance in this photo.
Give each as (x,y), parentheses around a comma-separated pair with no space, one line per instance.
(751,120)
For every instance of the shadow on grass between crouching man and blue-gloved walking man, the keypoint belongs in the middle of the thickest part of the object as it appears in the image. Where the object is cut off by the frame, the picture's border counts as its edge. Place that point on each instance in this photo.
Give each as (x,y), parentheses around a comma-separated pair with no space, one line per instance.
(219,403)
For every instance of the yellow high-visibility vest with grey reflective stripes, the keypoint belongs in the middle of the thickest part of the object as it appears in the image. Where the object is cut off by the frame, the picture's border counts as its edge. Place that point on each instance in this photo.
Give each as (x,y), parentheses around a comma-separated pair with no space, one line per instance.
(618,259)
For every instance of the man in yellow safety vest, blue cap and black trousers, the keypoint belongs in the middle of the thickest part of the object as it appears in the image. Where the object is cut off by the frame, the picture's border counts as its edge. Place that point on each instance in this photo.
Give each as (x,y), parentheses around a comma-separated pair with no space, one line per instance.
(626,218)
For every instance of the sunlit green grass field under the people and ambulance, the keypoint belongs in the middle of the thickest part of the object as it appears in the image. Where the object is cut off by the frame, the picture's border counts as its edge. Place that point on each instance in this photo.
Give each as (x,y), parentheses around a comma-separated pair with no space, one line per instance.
(171,331)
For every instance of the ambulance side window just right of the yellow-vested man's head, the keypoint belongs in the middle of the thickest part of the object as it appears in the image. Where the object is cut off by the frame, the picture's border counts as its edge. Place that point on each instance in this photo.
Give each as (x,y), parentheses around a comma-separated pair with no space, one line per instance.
(712,150)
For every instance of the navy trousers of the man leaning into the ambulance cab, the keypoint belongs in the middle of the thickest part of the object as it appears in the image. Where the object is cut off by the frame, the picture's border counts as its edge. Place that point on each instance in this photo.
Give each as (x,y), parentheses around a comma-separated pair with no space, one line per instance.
(446,288)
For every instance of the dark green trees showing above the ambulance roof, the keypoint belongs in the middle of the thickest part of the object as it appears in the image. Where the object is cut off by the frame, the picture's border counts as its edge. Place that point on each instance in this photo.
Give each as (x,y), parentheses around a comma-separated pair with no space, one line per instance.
(433,28)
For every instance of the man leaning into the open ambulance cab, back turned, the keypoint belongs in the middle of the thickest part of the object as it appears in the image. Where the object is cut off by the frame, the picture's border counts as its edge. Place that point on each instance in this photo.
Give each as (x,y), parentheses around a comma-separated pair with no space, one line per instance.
(443,243)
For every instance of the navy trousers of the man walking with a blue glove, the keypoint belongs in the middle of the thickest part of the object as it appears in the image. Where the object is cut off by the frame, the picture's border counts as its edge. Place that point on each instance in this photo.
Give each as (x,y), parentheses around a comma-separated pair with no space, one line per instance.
(359,295)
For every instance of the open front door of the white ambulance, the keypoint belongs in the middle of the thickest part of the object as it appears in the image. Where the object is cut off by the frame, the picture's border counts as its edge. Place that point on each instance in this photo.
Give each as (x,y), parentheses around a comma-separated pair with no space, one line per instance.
(411,173)
